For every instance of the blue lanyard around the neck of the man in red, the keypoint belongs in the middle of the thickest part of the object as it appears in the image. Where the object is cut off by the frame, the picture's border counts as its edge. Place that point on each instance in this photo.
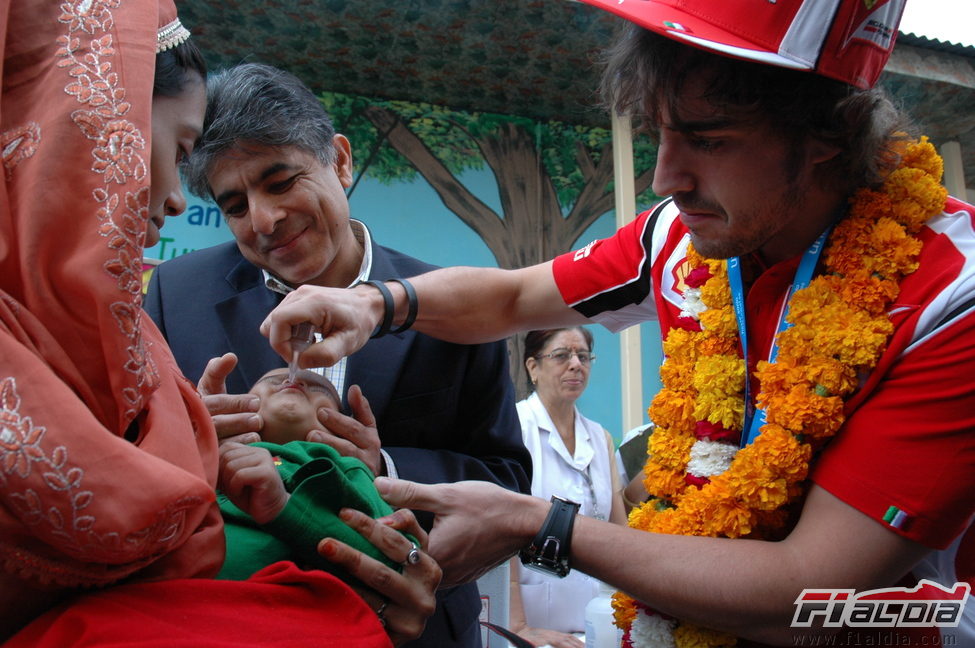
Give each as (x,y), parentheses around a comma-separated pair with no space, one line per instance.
(755,416)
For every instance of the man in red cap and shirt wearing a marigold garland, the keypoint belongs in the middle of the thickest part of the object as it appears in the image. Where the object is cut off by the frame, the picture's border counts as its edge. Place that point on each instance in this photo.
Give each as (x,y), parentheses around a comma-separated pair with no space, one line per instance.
(811,468)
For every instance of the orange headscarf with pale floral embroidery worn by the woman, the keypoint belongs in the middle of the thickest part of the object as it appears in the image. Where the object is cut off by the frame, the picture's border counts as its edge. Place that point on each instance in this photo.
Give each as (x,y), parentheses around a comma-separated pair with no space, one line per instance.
(107,454)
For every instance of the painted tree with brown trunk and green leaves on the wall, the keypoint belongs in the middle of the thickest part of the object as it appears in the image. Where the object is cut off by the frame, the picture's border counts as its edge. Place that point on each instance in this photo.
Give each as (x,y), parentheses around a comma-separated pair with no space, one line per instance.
(554,179)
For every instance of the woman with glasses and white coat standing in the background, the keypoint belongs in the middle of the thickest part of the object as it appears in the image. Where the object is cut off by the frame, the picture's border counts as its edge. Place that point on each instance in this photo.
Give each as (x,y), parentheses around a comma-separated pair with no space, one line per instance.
(572,457)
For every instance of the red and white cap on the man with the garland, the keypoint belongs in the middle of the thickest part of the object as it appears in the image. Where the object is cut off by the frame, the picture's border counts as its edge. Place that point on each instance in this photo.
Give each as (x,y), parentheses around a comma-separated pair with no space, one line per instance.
(848,40)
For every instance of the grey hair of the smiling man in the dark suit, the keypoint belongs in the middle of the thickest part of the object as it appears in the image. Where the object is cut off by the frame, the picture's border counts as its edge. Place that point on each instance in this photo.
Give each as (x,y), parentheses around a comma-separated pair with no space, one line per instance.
(258,104)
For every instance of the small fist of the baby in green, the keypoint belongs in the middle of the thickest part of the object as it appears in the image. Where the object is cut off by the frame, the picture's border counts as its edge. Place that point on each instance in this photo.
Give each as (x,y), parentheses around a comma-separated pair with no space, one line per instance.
(248,477)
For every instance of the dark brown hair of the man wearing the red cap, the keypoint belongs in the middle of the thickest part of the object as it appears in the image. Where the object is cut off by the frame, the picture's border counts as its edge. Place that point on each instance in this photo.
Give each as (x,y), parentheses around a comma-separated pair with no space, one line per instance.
(645,73)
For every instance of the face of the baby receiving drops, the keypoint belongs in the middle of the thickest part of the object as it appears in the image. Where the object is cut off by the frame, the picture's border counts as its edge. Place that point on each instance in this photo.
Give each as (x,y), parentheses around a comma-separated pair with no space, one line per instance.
(289,409)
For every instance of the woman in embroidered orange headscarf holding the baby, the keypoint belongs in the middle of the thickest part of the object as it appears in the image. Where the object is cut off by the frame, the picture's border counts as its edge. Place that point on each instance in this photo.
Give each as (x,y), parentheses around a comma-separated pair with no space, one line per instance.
(108,457)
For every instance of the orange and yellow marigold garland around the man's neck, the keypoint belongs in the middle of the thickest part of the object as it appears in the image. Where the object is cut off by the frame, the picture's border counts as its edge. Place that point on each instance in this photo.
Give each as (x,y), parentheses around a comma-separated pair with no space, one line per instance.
(699,481)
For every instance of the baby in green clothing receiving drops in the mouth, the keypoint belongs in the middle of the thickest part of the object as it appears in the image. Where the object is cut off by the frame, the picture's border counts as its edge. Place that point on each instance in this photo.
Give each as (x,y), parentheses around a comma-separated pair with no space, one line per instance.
(279,497)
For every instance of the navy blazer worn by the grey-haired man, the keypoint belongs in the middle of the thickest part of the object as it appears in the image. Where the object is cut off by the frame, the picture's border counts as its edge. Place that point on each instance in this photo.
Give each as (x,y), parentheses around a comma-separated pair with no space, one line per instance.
(445,412)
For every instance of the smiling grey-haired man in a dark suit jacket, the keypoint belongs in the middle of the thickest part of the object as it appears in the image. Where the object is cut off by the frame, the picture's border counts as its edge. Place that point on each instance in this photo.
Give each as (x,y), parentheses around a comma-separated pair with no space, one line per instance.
(278,171)
